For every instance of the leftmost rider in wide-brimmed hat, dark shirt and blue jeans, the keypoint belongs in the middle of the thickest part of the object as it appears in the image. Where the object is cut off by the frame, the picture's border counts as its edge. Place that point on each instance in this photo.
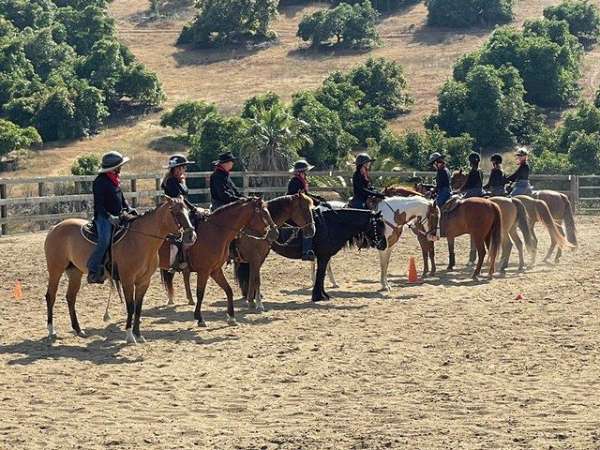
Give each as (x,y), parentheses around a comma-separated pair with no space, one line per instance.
(108,201)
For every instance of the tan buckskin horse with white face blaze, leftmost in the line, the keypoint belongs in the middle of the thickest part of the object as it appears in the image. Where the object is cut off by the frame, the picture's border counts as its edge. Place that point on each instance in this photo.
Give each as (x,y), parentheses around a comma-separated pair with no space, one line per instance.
(134,259)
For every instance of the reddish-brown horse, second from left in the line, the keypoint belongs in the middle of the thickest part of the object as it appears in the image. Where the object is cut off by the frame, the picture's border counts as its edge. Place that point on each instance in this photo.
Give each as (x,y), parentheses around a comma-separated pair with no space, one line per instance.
(210,251)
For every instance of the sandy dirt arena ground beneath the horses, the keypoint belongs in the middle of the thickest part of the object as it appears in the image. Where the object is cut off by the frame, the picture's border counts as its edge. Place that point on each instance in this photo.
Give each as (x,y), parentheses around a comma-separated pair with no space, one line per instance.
(446,364)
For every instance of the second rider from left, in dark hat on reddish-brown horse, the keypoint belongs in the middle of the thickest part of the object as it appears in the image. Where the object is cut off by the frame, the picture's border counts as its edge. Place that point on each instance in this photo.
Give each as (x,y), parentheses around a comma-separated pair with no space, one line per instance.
(173,186)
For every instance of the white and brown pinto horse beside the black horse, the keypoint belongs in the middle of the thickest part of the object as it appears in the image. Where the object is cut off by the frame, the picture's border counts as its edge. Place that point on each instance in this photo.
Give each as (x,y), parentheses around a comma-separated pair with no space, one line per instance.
(414,211)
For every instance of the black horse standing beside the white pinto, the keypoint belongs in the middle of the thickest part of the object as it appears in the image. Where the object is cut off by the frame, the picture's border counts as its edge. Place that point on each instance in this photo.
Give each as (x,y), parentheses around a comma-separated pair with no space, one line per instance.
(335,228)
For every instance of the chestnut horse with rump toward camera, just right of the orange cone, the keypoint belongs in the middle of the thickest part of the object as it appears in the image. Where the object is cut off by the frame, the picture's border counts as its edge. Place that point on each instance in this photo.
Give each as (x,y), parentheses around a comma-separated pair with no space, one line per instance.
(482,220)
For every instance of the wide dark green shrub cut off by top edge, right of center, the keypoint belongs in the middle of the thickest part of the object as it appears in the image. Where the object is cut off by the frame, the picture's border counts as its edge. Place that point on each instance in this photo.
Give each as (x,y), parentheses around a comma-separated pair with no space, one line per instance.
(466,13)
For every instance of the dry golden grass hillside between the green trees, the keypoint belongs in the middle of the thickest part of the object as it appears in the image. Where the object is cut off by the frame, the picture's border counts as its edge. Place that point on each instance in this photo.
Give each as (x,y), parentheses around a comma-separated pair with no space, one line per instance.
(231,76)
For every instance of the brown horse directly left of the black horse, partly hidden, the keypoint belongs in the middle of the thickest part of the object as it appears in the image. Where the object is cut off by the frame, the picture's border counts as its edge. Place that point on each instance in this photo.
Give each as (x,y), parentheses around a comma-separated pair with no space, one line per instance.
(296,208)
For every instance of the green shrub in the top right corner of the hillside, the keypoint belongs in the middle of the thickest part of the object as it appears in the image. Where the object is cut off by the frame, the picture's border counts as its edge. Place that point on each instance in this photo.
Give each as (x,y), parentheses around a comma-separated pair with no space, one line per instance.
(582,16)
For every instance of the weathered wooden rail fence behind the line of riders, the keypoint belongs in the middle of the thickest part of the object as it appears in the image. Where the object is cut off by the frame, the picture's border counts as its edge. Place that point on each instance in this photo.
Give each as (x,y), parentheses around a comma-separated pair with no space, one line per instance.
(27,204)
